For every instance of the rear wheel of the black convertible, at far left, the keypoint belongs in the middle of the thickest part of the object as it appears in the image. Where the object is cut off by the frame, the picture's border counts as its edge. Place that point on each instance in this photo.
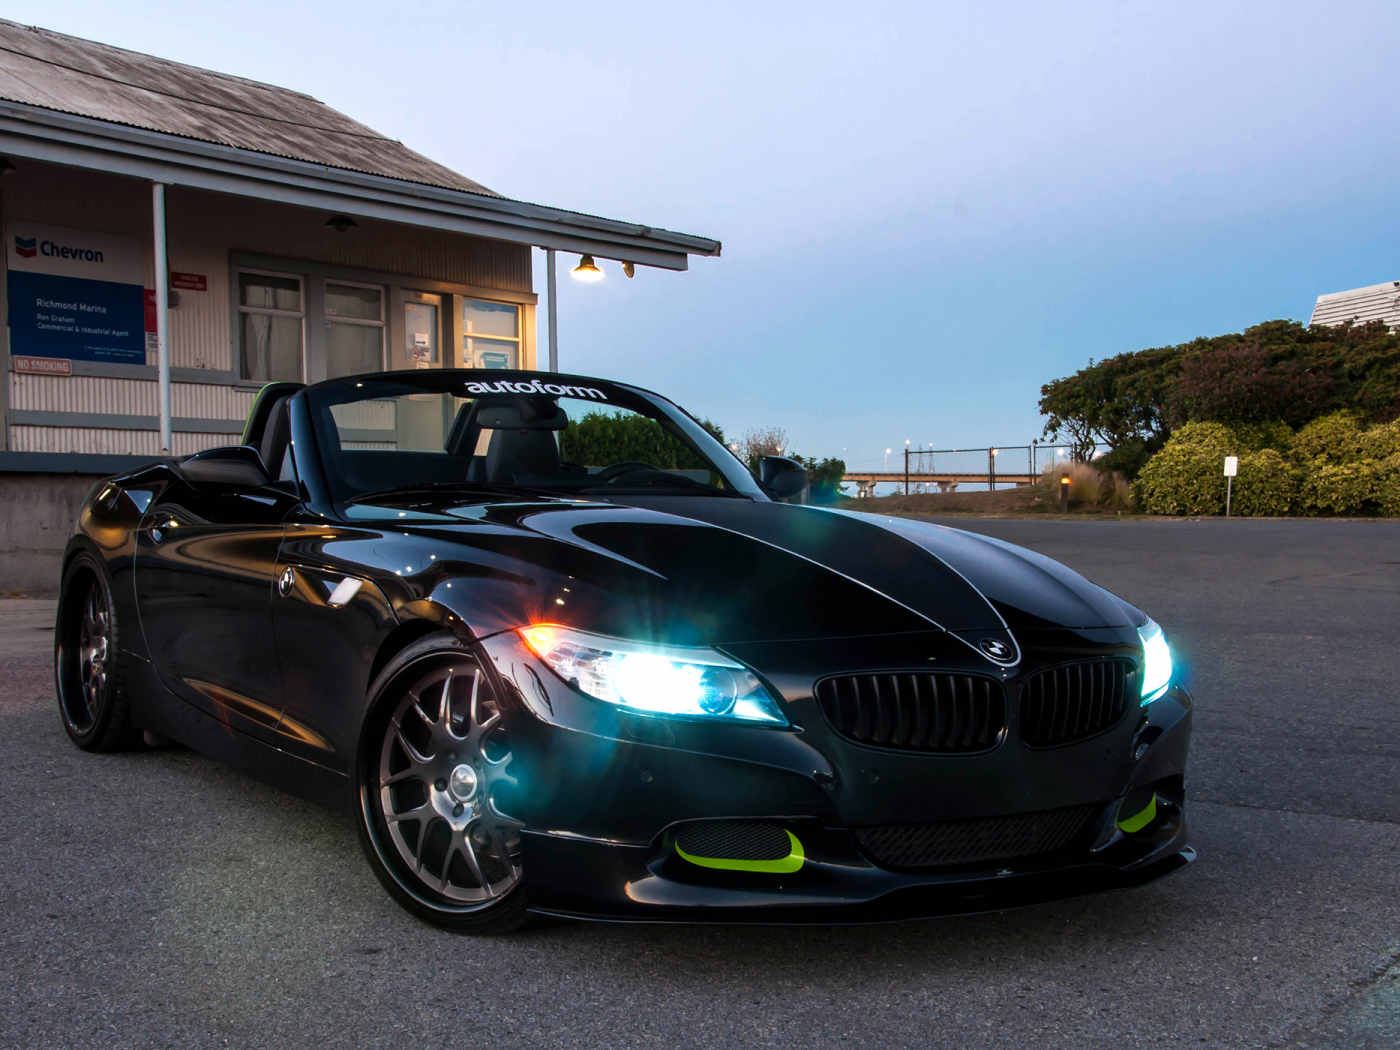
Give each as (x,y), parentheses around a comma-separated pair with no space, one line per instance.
(87,661)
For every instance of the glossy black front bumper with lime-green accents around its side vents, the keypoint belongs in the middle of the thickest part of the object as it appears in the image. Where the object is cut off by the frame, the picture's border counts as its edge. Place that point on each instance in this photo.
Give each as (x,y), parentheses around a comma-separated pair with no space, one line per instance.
(603,796)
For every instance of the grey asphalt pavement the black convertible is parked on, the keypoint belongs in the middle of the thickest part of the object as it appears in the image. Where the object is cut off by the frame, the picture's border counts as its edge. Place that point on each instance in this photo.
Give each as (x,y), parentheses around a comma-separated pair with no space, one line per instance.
(157,899)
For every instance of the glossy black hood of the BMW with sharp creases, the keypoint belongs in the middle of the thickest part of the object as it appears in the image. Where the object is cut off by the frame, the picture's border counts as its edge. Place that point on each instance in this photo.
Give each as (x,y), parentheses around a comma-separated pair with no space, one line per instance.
(710,570)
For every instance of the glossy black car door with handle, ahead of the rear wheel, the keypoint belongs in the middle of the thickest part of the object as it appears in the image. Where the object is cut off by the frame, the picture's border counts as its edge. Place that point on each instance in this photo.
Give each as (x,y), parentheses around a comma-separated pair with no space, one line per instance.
(205,580)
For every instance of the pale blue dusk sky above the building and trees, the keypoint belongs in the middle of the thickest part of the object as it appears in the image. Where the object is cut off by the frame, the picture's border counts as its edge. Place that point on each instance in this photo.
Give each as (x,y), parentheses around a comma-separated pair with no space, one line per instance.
(927,211)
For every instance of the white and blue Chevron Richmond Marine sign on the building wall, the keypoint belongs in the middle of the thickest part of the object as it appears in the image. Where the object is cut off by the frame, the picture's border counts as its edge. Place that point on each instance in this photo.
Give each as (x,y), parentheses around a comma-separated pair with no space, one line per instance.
(75,295)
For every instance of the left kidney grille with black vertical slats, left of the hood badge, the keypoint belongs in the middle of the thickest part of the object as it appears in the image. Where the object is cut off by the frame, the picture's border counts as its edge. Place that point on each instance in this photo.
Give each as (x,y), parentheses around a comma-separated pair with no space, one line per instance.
(947,715)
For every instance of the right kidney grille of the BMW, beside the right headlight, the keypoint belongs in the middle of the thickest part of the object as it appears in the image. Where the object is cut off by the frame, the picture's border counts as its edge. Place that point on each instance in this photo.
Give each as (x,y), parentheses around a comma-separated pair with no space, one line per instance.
(1076,702)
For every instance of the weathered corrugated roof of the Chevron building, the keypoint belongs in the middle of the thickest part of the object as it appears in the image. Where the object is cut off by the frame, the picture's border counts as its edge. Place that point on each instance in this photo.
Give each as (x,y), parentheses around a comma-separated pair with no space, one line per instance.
(75,76)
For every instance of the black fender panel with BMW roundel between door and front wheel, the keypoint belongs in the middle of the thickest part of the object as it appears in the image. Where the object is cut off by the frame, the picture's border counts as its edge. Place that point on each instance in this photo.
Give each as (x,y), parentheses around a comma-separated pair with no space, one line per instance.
(330,621)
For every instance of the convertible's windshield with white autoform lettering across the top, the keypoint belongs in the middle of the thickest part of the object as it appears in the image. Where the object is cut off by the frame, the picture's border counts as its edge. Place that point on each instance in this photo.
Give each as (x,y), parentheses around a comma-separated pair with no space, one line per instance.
(513,430)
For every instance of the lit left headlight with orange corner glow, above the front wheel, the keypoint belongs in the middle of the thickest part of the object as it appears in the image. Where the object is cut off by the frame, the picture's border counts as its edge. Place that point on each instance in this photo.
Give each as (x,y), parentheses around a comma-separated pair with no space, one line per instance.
(668,681)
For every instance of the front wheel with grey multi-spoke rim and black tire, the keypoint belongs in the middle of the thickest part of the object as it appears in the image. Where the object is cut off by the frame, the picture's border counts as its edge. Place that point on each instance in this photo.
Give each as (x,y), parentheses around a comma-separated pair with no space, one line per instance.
(433,787)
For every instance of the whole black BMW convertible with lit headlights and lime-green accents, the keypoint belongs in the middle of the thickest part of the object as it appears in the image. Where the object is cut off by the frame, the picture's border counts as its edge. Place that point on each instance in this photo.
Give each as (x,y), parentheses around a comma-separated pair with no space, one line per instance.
(559,653)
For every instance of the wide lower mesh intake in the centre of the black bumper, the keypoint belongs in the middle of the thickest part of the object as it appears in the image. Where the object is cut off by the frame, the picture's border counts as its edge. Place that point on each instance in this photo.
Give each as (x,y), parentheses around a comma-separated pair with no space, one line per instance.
(922,848)
